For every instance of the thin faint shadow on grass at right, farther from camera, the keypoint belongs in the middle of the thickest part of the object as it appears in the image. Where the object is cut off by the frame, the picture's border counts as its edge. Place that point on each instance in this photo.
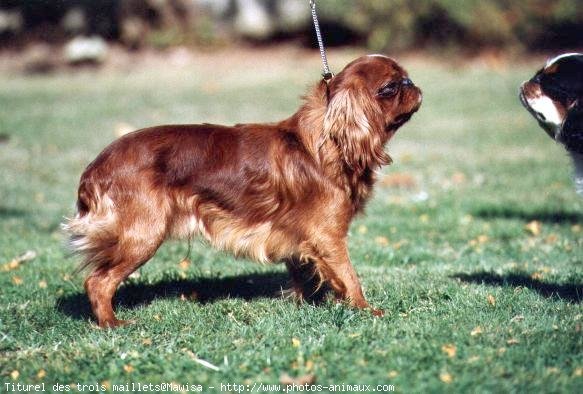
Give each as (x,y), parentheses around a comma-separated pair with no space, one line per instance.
(547,216)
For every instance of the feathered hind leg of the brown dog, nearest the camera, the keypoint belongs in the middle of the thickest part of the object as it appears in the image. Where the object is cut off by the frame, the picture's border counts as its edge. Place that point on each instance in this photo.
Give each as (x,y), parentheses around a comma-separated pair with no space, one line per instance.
(116,247)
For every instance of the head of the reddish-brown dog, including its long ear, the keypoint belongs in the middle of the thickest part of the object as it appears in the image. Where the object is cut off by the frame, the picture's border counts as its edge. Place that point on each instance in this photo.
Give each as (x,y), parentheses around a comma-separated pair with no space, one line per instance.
(368,101)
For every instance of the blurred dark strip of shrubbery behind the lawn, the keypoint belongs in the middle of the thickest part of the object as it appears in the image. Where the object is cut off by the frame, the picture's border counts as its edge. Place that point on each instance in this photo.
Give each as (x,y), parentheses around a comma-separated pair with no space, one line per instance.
(44,35)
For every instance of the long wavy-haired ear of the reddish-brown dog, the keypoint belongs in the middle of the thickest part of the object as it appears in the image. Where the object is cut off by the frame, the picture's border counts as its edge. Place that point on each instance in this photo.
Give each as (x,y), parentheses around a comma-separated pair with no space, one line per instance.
(354,121)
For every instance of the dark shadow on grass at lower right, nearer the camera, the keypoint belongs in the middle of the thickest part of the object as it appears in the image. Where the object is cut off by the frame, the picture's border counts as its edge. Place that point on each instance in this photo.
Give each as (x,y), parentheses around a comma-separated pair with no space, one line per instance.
(570,292)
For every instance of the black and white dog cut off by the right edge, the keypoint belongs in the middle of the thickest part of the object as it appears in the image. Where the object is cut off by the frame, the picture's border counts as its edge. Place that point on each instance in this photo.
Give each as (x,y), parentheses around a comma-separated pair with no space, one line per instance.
(554,96)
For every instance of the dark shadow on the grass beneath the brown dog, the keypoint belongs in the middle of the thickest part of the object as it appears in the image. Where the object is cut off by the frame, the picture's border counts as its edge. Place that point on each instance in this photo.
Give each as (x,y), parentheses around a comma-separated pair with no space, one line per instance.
(203,290)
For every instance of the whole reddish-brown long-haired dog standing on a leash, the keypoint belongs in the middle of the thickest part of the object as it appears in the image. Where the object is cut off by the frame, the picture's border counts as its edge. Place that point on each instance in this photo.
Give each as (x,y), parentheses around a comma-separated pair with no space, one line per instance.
(271,192)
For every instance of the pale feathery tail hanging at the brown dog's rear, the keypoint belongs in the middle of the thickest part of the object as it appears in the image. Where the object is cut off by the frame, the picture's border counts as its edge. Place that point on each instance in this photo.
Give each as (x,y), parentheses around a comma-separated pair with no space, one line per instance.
(92,233)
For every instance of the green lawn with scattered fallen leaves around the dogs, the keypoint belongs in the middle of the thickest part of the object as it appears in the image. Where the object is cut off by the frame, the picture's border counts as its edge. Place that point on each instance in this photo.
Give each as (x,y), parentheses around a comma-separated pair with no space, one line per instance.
(486,169)
